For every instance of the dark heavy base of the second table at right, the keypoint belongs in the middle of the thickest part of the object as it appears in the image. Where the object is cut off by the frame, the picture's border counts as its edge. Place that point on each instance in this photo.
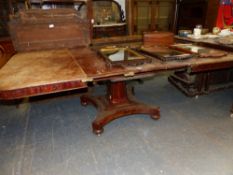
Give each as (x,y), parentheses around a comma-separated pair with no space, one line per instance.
(193,84)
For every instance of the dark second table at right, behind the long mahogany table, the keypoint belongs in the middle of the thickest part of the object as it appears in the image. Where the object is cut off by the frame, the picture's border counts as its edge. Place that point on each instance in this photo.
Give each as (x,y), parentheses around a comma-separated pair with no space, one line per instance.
(193,84)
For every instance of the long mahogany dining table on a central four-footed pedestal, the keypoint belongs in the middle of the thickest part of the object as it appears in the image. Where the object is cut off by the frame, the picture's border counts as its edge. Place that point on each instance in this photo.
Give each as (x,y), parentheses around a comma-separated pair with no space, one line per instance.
(36,73)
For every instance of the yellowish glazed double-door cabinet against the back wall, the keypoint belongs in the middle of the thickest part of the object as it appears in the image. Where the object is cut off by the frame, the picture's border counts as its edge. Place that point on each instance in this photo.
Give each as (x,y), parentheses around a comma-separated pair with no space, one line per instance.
(150,15)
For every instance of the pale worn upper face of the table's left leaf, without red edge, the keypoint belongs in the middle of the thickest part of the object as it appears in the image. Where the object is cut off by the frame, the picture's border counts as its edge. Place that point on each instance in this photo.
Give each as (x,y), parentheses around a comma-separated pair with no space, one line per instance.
(30,69)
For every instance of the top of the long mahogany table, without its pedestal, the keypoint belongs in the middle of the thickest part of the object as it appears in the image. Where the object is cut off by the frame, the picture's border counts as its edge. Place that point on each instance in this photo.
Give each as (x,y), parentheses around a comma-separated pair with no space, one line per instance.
(44,72)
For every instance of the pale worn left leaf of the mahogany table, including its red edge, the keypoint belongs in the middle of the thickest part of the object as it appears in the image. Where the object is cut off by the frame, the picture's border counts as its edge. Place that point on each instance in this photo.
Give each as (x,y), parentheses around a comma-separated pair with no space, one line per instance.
(40,72)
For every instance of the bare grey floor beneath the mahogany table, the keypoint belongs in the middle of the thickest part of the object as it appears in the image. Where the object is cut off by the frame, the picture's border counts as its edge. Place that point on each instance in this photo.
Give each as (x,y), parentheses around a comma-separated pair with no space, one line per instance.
(53,136)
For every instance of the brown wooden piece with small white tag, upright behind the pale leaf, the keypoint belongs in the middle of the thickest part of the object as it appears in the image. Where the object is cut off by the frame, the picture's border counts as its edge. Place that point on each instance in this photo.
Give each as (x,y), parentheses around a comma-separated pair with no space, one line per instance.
(38,29)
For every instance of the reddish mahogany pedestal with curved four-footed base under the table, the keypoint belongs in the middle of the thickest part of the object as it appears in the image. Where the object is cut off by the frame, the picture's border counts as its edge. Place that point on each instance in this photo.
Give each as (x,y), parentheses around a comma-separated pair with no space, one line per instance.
(118,102)
